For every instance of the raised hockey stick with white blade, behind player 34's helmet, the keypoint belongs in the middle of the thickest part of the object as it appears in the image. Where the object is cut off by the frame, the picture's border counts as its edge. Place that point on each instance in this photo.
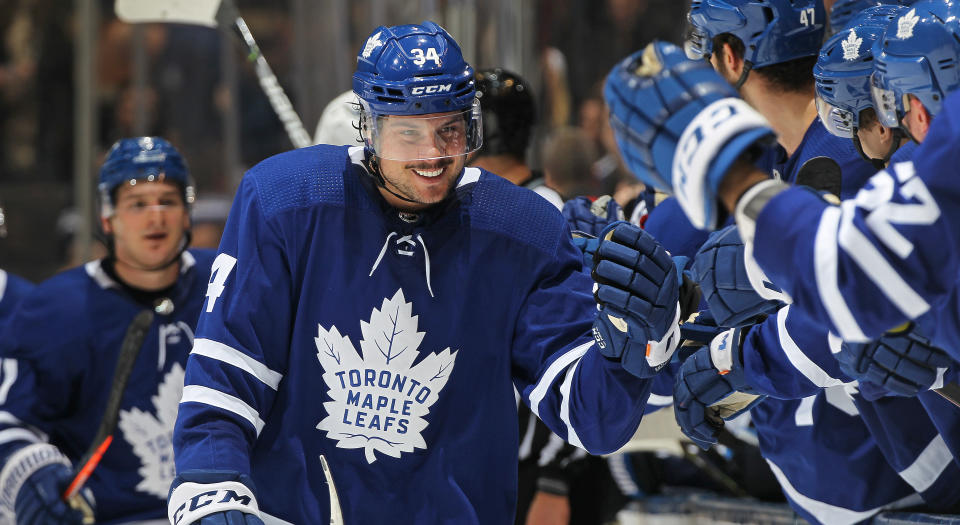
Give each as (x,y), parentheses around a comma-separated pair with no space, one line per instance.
(222,13)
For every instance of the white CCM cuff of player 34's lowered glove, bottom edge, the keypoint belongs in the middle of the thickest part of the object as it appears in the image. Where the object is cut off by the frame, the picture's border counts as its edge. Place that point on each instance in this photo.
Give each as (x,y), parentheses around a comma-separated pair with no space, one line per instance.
(189,501)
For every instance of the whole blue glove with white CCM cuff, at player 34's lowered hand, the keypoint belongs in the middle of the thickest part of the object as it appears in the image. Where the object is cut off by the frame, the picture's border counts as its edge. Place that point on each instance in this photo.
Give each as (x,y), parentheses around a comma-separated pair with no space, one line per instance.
(213,497)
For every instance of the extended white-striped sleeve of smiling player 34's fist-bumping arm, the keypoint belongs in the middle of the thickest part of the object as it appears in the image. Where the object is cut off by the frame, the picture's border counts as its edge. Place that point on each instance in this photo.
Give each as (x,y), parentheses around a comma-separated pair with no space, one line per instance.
(587,399)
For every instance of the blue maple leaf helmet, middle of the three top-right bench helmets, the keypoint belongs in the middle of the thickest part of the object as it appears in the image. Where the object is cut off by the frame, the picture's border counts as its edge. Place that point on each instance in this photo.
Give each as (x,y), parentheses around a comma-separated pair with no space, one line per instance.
(843,69)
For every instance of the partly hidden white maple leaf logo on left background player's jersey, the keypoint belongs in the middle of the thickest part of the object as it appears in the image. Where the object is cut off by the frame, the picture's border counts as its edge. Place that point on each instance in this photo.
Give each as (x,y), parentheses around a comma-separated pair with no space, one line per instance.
(151,436)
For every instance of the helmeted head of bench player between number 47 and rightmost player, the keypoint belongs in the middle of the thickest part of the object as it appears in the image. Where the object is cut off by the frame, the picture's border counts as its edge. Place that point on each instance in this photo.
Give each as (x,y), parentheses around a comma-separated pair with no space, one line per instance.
(842,76)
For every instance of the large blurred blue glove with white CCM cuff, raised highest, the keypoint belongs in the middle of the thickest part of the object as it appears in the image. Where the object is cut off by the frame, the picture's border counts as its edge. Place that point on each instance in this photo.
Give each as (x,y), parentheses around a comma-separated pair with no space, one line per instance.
(680,126)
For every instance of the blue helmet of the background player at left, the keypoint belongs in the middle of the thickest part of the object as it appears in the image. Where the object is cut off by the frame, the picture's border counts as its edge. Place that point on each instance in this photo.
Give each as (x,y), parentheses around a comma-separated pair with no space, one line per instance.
(142,158)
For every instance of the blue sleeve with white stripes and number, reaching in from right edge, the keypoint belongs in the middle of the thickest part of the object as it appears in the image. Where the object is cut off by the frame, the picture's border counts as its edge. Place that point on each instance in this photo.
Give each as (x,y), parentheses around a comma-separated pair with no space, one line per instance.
(885,256)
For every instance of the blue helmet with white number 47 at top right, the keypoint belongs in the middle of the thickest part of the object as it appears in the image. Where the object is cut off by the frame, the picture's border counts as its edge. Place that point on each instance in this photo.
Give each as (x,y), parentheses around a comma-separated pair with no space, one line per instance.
(772,31)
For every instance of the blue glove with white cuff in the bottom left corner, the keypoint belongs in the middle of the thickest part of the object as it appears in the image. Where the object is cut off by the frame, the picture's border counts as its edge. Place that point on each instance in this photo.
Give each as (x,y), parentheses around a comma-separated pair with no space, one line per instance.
(31,486)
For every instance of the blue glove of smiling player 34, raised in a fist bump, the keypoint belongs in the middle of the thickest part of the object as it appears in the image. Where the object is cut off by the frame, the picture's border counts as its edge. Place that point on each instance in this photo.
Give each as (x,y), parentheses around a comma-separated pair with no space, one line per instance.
(637,291)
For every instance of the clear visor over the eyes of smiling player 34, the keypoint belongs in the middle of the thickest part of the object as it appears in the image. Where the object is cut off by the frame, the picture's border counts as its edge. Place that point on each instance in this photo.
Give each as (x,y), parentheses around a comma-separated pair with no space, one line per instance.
(423,137)
